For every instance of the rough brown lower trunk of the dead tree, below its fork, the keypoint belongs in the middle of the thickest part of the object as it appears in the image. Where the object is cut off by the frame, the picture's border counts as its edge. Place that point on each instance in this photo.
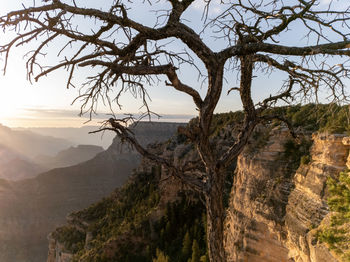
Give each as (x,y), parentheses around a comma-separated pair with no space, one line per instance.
(215,217)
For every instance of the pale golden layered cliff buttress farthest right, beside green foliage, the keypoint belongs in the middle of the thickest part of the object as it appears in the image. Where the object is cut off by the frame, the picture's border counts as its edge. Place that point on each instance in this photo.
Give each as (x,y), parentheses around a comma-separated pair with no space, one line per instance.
(307,205)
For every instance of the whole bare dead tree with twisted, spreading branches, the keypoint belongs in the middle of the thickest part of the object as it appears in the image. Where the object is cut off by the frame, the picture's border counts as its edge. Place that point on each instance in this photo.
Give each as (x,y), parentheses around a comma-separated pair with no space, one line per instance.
(128,55)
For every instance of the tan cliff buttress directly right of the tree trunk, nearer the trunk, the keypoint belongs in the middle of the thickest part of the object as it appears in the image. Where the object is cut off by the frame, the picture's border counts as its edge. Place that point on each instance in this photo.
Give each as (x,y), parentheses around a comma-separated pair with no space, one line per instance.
(257,204)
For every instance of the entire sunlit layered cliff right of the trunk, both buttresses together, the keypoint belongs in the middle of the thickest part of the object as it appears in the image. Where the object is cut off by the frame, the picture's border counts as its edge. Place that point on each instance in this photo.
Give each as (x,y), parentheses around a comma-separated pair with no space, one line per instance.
(273,209)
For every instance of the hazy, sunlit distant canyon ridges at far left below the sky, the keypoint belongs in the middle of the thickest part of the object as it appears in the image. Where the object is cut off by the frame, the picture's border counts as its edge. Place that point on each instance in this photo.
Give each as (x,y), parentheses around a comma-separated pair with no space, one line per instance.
(25,154)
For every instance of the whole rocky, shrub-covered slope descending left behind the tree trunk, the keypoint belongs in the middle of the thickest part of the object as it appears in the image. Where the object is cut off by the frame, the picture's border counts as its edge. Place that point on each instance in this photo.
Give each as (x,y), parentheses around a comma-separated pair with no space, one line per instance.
(150,212)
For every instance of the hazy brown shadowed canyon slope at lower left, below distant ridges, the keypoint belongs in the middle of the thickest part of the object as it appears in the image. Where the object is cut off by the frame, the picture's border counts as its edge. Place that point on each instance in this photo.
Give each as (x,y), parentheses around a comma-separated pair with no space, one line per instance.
(30,209)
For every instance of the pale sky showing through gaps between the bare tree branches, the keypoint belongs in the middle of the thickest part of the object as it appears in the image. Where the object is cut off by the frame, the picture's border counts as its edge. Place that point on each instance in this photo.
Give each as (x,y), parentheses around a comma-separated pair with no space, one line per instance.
(49,103)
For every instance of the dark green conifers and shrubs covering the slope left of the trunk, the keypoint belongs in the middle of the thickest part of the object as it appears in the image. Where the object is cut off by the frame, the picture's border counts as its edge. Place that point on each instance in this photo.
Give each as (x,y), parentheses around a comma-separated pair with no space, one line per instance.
(124,228)
